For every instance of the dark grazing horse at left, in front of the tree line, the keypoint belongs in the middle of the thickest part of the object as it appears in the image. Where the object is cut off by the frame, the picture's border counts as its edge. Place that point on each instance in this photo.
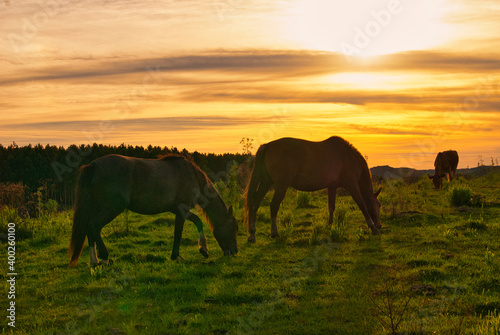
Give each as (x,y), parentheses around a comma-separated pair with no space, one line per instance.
(113,183)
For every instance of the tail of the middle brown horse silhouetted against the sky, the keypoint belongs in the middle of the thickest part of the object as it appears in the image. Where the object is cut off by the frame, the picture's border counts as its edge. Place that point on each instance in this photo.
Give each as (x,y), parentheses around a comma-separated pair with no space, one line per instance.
(258,173)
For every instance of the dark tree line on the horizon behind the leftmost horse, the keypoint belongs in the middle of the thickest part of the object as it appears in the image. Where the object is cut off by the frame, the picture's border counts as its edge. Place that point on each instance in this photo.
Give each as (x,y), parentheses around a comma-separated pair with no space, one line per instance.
(35,174)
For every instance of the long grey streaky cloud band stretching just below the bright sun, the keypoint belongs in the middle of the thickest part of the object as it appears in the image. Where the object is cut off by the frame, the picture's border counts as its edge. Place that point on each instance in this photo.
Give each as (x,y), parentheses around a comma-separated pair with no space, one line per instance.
(268,63)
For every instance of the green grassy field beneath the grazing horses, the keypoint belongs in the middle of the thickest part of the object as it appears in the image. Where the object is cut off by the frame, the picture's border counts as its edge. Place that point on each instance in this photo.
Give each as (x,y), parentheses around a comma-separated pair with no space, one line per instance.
(434,270)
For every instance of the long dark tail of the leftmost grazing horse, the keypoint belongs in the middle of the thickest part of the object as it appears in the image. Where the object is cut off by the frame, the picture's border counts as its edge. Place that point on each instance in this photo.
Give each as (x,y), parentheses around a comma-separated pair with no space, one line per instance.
(82,213)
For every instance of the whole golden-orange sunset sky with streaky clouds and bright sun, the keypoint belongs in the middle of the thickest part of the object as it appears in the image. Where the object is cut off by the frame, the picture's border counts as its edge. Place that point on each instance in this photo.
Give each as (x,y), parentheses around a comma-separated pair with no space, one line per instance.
(401,80)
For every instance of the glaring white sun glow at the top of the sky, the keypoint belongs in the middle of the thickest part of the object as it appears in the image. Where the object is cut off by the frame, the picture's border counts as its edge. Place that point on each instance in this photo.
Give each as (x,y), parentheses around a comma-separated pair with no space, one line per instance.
(361,29)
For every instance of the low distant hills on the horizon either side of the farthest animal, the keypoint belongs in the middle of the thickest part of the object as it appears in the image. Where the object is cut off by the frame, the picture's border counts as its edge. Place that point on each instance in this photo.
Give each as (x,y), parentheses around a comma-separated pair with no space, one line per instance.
(388,172)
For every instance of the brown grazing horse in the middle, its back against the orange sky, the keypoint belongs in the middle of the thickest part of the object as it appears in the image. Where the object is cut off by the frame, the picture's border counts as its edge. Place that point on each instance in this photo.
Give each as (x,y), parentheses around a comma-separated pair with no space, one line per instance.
(310,166)
